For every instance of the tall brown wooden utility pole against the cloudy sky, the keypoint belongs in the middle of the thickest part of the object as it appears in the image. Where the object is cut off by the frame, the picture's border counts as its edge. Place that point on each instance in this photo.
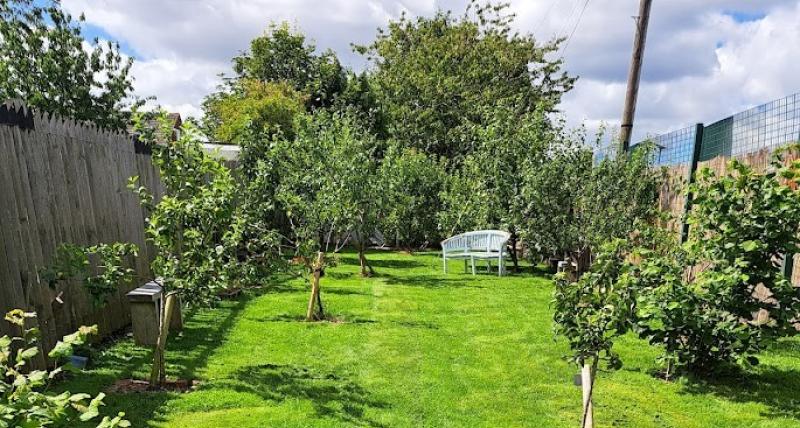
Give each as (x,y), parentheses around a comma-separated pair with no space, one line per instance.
(629,112)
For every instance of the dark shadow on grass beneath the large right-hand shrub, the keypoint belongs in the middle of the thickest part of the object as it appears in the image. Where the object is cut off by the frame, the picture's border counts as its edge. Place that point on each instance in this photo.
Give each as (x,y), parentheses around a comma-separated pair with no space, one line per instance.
(772,386)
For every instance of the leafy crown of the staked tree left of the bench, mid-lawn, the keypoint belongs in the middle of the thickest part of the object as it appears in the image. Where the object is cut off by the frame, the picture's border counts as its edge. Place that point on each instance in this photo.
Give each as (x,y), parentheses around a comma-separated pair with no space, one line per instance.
(328,188)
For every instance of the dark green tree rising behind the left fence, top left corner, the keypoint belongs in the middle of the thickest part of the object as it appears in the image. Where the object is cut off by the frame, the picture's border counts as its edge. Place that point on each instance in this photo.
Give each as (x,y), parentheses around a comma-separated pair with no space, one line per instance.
(45,60)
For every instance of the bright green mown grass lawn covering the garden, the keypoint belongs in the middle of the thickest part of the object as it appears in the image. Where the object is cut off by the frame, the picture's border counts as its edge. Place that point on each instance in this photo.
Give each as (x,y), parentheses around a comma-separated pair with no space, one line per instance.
(414,347)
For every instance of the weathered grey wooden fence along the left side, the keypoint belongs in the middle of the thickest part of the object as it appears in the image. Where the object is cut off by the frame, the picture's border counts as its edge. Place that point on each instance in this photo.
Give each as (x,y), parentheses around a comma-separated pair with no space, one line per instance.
(66,182)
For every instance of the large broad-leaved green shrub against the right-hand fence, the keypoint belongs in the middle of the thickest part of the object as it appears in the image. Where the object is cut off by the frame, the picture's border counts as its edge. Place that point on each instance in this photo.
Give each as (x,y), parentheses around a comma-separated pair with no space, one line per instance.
(721,298)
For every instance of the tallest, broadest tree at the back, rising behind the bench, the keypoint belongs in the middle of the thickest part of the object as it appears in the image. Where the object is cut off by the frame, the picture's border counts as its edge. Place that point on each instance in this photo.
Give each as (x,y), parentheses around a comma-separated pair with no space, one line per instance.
(437,78)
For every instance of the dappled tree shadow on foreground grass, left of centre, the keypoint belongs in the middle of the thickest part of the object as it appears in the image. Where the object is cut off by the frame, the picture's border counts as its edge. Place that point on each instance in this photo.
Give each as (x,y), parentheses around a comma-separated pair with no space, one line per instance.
(331,395)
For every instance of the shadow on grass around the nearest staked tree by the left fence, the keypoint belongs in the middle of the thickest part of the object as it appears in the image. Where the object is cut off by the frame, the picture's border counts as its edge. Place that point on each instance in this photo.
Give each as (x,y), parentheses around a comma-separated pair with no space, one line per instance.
(204,331)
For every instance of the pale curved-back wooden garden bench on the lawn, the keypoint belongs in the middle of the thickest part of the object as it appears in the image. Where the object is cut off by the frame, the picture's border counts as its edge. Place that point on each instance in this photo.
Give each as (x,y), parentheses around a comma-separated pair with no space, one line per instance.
(481,245)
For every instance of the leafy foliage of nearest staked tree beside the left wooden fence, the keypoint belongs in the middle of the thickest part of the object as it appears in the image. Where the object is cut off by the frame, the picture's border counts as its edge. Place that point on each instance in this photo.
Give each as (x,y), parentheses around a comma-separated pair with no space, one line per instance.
(203,243)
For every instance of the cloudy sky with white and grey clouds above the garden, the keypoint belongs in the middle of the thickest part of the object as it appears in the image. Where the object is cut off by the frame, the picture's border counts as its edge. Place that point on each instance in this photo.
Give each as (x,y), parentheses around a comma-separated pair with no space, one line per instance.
(704,59)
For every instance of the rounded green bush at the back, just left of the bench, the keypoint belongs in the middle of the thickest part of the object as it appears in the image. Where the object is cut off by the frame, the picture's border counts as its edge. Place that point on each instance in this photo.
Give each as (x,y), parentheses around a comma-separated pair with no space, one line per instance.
(412,182)
